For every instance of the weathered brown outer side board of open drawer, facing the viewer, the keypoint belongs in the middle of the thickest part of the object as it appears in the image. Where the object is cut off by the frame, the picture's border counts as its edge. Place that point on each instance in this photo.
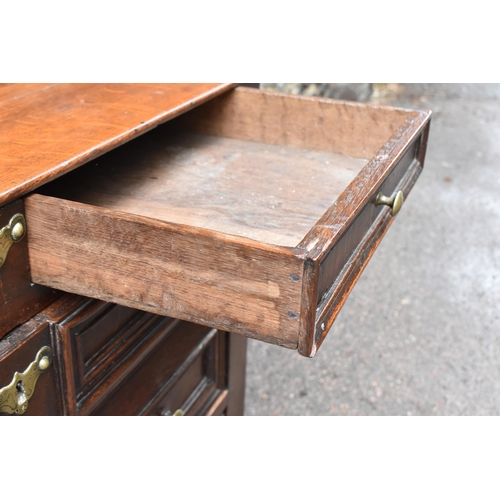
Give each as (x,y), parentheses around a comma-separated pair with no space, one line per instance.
(227,282)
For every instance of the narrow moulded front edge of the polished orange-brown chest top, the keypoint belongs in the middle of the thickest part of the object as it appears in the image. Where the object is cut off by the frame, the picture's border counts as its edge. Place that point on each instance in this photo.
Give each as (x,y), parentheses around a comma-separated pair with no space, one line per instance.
(62,168)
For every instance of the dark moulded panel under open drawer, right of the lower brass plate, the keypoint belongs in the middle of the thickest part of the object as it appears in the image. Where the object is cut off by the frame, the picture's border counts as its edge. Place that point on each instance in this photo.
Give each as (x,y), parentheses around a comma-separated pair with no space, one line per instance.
(103,343)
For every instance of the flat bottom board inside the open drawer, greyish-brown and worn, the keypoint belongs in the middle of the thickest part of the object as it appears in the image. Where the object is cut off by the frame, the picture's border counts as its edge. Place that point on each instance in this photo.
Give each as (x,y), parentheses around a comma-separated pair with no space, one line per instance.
(272,194)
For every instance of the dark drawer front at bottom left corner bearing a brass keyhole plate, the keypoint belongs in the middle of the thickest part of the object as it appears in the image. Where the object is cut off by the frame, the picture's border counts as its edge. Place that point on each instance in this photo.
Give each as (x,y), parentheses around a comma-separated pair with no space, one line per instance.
(35,390)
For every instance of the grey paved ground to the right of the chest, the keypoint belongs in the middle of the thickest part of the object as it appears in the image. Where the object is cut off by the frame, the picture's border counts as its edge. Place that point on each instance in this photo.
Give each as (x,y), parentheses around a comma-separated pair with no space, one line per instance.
(420,333)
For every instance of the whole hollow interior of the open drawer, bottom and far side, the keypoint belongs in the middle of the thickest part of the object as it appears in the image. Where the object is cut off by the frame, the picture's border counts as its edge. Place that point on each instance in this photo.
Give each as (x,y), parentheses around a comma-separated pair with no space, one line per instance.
(218,168)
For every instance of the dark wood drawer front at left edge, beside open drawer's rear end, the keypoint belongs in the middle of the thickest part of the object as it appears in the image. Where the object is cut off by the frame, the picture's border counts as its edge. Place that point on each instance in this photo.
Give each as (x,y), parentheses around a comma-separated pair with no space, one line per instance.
(20,299)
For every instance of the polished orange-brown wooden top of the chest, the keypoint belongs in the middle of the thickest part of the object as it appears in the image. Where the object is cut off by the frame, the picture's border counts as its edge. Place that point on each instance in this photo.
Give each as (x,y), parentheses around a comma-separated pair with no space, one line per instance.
(47,130)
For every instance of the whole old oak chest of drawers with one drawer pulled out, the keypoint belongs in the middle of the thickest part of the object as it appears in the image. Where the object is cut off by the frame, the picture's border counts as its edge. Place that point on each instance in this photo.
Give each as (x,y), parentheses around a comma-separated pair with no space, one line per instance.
(237,210)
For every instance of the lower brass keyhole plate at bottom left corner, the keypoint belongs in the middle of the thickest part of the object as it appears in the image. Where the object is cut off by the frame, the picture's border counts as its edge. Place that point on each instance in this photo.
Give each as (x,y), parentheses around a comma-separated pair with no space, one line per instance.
(15,396)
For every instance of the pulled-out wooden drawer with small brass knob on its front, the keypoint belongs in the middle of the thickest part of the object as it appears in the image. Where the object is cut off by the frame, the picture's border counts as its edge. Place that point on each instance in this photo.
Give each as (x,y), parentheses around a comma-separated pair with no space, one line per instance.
(254,213)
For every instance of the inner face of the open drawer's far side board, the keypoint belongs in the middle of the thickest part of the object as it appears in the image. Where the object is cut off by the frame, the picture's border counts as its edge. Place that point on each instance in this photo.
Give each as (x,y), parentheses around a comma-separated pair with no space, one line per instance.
(320,124)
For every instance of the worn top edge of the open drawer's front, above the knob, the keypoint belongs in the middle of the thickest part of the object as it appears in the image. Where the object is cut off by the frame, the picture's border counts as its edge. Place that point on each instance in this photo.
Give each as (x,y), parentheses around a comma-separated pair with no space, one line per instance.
(334,223)
